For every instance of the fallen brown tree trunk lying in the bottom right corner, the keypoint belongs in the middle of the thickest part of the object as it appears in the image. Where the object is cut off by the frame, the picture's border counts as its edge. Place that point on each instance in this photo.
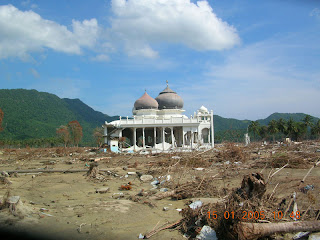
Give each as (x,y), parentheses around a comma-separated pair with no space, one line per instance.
(251,231)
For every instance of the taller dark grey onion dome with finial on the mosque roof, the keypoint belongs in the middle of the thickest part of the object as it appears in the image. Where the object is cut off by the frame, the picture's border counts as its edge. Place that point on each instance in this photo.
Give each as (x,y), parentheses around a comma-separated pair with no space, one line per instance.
(168,99)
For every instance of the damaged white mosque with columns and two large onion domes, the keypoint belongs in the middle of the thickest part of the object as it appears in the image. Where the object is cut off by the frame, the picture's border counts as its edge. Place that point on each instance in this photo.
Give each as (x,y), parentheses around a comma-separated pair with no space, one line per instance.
(159,124)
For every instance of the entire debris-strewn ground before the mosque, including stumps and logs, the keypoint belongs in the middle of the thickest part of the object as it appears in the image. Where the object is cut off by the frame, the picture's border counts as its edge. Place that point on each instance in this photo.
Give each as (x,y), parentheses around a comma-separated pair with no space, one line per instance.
(260,191)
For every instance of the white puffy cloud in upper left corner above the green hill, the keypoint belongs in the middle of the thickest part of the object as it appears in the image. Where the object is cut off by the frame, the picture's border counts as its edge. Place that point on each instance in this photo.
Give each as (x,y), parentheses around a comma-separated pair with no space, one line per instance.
(22,32)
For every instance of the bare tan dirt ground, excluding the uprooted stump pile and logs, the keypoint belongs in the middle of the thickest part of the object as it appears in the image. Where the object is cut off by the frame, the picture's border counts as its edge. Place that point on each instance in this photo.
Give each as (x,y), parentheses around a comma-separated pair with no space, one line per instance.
(66,205)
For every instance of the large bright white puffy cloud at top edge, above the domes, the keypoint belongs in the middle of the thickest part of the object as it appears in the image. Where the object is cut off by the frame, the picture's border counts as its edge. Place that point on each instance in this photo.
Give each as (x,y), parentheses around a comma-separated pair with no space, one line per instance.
(141,23)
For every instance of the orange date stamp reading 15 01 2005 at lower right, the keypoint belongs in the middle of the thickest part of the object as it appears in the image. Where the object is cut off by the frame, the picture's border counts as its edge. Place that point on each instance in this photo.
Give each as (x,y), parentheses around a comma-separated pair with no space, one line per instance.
(247,215)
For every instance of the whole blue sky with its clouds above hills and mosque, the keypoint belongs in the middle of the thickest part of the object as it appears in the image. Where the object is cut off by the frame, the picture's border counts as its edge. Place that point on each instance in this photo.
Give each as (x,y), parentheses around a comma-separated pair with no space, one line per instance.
(243,59)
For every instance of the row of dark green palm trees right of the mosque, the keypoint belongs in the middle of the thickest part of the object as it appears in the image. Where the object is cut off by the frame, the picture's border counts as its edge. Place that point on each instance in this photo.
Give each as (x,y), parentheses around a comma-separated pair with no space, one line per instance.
(297,131)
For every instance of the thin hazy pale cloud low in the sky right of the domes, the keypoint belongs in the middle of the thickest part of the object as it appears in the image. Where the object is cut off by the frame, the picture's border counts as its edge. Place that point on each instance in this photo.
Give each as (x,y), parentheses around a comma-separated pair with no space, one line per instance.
(260,79)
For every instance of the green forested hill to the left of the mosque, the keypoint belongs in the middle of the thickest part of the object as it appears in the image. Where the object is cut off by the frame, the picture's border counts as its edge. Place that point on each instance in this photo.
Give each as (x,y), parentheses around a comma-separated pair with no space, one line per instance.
(32,114)
